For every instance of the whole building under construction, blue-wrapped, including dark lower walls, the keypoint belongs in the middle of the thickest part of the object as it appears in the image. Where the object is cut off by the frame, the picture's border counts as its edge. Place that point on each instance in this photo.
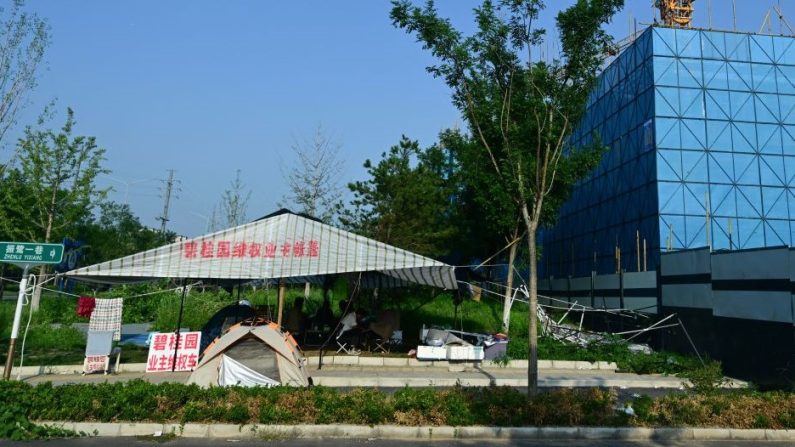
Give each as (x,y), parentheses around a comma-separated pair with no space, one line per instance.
(690,215)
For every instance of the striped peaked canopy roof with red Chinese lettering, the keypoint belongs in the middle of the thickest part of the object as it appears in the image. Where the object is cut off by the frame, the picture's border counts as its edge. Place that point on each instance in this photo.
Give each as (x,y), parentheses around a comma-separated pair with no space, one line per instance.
(284,247)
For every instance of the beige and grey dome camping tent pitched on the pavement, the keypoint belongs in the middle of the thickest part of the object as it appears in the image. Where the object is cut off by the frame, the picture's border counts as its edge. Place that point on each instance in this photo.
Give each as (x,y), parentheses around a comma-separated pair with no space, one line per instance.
(252,355)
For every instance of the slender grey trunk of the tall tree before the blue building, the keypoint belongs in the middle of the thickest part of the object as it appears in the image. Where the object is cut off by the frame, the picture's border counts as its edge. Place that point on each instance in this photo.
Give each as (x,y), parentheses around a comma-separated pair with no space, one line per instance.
(532,305)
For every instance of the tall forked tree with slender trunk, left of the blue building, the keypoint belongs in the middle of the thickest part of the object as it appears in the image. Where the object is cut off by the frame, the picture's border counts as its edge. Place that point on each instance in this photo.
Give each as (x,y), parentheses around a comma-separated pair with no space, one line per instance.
(521,110)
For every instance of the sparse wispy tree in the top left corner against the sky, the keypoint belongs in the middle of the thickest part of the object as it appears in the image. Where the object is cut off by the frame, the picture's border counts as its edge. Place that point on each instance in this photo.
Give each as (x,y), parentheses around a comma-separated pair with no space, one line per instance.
(24,37)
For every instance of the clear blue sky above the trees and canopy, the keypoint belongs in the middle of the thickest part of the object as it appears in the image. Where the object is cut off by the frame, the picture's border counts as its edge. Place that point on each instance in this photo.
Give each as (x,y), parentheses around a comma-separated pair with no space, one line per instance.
(208,87)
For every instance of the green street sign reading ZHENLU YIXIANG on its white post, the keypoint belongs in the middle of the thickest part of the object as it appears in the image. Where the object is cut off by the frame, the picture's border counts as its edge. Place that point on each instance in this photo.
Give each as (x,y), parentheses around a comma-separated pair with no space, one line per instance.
(25,255)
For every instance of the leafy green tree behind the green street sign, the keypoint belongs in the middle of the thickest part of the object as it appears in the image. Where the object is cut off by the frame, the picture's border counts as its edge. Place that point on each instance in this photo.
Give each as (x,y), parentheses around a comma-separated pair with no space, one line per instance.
(58,171)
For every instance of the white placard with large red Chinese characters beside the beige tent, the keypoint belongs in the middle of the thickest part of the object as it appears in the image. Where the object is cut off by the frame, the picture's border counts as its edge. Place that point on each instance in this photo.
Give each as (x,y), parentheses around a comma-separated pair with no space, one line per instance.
(161,352)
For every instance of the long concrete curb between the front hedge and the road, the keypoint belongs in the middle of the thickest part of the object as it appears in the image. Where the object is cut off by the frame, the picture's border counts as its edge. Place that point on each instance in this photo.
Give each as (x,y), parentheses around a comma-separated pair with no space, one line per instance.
(274,432)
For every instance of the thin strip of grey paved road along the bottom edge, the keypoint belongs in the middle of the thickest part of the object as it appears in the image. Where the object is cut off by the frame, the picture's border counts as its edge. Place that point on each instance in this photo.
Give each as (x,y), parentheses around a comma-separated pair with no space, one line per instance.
(141,442)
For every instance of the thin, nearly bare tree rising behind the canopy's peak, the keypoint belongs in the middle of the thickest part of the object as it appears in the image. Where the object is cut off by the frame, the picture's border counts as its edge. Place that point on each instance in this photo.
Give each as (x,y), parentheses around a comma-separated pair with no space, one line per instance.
(314,180)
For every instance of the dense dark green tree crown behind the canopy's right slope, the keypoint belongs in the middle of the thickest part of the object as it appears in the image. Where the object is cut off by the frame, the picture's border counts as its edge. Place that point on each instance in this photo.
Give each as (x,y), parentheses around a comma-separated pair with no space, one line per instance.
(407,200)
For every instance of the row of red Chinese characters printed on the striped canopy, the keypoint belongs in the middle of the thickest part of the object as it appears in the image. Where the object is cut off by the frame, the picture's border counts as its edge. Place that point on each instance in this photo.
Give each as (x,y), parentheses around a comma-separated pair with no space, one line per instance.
(208,249)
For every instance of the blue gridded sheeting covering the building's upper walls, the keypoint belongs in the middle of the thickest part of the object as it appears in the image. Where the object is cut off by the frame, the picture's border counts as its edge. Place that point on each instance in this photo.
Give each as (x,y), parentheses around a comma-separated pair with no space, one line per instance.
(701,133)
